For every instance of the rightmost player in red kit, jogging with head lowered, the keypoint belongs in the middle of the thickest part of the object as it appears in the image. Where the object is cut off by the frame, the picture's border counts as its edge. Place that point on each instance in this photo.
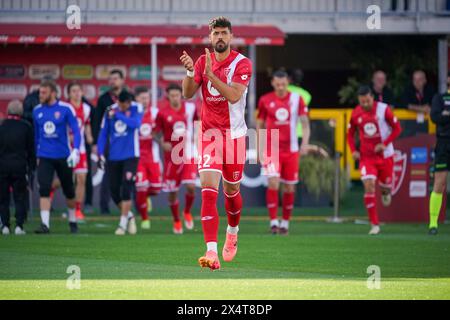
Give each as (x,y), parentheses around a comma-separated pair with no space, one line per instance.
(377,128)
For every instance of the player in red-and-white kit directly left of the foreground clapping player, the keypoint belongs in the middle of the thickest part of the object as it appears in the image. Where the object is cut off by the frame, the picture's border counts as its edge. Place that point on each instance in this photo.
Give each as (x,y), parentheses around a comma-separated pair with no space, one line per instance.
(176,122)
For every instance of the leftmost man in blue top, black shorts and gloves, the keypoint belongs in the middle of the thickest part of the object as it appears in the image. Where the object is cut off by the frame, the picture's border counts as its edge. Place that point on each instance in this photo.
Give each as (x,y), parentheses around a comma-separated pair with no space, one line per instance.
(51,121)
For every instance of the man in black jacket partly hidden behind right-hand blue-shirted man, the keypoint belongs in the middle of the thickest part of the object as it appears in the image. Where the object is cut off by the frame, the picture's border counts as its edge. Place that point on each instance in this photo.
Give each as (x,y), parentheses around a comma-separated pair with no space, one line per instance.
(116,83)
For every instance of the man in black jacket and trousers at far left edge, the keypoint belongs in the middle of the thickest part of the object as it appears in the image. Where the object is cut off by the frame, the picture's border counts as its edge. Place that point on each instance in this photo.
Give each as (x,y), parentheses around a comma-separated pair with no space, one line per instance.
(17,160)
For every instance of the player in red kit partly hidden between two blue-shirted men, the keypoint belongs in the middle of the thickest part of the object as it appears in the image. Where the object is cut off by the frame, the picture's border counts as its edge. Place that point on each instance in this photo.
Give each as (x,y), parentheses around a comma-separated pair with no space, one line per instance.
(82,111)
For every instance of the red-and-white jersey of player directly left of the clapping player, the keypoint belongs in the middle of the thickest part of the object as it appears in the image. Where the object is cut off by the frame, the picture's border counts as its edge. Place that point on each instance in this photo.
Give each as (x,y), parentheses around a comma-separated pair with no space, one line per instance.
(177,125)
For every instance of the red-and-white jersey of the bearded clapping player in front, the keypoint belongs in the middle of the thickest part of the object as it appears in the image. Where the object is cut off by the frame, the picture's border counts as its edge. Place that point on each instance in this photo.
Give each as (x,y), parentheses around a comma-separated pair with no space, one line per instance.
(217,112)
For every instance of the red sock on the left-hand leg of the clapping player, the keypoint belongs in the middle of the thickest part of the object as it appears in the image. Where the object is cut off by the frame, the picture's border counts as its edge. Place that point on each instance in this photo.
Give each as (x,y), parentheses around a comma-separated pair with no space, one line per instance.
(210,215)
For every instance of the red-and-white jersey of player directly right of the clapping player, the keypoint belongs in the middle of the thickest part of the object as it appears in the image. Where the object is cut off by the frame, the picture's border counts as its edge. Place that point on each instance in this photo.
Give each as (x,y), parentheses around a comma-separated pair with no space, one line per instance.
(282,114)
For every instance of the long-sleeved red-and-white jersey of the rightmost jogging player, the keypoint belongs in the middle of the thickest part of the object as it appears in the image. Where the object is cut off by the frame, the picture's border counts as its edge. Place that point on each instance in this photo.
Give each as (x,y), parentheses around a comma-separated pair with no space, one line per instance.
(378,125)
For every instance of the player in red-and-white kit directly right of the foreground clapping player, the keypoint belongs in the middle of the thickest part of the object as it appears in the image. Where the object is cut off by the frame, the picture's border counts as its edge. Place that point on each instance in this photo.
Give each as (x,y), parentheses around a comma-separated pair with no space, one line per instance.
(281,110)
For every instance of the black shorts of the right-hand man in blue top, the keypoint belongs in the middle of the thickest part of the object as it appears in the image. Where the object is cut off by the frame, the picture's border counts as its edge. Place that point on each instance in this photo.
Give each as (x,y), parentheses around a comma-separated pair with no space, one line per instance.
(122,177)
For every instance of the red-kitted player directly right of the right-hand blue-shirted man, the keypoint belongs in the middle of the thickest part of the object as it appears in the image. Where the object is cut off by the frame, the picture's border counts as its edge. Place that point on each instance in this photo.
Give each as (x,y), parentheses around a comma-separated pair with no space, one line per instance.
(148,175)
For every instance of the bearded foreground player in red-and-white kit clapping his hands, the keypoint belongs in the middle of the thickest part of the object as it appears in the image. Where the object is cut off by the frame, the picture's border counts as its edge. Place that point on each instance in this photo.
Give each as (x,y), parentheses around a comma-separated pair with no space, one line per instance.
(223,76)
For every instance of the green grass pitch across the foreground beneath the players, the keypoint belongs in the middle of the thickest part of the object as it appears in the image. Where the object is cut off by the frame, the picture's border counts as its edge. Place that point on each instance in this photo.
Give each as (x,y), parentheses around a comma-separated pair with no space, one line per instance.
(317,260)
